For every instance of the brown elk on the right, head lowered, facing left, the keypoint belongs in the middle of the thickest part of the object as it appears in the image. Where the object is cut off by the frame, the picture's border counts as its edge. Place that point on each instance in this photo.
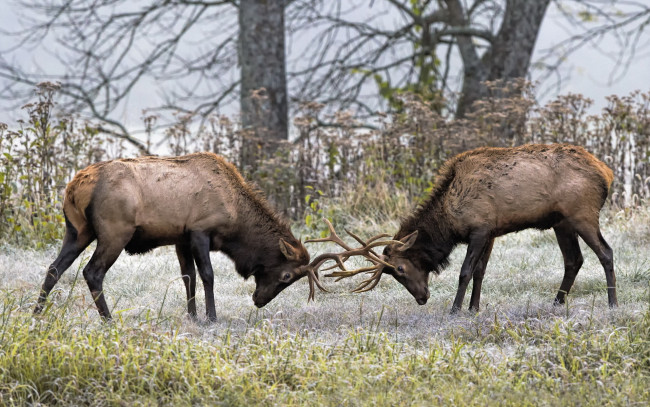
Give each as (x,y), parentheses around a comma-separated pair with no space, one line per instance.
(489,192)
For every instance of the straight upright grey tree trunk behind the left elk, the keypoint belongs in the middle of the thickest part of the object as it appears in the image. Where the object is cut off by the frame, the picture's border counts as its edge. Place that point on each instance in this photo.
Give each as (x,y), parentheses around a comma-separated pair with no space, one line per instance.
(263,94)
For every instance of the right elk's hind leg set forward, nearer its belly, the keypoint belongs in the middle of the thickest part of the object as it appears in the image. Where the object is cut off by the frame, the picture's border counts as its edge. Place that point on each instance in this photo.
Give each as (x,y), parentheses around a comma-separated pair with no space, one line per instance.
(567,239)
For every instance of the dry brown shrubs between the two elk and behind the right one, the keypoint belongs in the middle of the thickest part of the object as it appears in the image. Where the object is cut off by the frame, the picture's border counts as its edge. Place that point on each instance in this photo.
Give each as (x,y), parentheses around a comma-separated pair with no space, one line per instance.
(382,169)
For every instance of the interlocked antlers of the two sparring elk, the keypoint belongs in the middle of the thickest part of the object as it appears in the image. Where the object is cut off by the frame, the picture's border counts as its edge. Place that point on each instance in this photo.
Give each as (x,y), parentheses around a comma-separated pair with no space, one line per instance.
(340,258)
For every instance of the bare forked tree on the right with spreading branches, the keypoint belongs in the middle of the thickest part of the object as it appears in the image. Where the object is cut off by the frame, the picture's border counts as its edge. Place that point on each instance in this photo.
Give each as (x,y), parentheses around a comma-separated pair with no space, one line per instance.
(360,46)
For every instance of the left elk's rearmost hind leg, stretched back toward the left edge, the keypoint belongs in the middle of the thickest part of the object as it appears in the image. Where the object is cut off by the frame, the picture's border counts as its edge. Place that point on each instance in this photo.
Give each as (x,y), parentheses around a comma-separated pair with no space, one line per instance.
(74,244)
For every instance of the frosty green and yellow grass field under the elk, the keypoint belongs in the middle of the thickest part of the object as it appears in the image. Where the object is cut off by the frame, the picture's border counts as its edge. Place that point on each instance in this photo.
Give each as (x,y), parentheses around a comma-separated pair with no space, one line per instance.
(377,348)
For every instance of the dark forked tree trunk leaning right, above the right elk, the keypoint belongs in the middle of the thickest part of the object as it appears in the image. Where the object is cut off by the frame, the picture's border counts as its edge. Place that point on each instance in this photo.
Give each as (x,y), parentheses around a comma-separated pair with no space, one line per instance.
(507,58)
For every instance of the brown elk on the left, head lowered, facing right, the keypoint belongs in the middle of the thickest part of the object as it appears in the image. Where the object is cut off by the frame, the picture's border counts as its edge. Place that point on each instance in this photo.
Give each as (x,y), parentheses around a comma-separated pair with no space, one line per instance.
(198,203)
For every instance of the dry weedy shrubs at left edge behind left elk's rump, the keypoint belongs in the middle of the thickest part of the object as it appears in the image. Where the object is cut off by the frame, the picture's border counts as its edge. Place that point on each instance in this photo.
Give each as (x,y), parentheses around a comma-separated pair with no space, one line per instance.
(37,160)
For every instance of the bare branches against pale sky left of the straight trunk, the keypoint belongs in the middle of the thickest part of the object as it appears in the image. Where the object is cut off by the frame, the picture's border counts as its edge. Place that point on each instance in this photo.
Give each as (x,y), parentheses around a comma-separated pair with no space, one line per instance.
(184,49)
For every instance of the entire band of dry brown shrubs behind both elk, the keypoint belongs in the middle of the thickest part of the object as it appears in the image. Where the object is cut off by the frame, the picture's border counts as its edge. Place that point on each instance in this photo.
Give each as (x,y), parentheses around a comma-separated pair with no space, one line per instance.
(336,166)
